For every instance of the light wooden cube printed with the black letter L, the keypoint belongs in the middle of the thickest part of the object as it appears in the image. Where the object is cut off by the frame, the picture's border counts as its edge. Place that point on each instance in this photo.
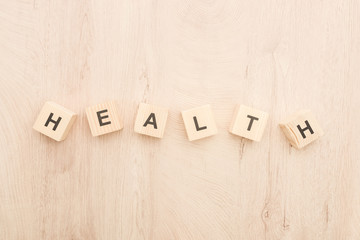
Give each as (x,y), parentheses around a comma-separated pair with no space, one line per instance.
(199,122)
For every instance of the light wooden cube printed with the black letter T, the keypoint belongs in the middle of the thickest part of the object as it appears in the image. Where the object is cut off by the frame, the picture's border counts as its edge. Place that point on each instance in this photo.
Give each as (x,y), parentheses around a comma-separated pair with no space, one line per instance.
(249,123)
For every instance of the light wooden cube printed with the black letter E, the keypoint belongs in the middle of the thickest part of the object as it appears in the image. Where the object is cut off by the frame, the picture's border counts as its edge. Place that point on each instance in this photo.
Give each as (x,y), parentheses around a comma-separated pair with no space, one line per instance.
(104,118)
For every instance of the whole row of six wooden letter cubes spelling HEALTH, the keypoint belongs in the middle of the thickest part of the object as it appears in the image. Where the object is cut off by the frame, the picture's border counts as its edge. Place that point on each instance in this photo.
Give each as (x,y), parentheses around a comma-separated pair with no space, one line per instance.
(55,122)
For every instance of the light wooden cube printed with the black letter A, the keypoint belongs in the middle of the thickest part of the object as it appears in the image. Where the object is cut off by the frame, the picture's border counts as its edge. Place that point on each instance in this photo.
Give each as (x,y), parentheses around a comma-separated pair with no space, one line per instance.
(151,120)
